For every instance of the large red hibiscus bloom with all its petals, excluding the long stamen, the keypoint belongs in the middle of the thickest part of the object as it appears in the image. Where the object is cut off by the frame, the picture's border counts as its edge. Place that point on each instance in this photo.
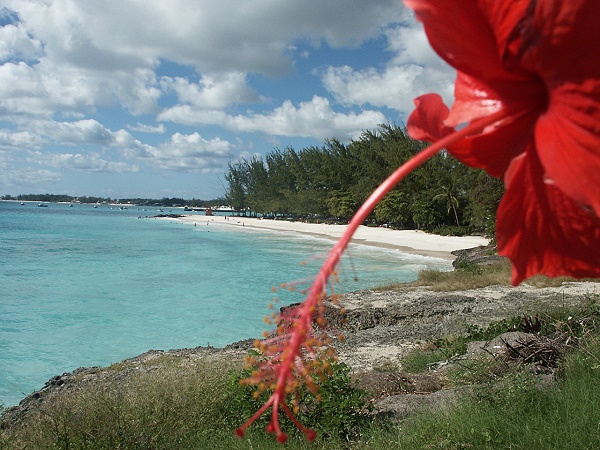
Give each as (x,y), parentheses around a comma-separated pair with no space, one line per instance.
(537,64)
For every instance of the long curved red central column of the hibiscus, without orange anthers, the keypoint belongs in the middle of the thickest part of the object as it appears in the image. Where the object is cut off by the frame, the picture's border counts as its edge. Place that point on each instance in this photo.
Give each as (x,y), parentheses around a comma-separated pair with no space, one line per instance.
(284,365)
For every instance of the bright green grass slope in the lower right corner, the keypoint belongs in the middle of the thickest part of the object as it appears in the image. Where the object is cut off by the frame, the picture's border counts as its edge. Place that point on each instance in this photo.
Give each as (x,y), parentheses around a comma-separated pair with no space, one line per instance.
(517,415)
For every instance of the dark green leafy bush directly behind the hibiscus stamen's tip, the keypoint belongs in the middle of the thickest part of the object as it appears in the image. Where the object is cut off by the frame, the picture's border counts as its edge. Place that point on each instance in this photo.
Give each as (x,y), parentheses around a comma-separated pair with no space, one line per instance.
(341,412)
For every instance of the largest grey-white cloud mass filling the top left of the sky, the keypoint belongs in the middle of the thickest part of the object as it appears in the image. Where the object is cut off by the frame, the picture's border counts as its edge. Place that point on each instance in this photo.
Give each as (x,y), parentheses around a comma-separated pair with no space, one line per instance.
(98,54)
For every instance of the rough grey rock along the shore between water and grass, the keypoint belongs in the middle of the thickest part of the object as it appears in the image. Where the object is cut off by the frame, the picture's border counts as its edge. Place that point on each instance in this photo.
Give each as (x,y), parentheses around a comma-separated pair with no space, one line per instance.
(380,328)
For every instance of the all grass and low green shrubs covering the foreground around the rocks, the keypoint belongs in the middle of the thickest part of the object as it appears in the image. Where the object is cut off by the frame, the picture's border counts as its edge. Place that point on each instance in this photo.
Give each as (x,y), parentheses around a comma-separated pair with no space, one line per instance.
(171,402)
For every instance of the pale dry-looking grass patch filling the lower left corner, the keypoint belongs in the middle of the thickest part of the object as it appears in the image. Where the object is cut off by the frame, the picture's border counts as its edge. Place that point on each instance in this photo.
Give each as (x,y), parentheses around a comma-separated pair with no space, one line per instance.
(168,407)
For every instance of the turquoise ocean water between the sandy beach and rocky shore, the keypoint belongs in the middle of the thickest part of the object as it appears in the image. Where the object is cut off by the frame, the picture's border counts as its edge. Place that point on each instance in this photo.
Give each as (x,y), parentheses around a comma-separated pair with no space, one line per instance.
(84,286)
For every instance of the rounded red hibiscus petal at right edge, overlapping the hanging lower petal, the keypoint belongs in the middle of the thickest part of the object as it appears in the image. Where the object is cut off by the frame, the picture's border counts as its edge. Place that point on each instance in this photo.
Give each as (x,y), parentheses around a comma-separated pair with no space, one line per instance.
(568,142)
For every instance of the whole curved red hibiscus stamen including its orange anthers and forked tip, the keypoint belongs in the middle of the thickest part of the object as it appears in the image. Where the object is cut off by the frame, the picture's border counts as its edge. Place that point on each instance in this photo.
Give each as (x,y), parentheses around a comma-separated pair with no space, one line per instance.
(295,335)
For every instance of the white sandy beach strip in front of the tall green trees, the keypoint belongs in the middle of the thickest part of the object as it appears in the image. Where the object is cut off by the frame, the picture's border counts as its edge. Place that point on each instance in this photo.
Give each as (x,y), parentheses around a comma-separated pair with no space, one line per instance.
(409,241)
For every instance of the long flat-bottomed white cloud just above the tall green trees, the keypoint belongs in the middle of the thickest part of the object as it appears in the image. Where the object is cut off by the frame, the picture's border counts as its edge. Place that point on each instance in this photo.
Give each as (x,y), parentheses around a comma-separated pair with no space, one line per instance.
(315,119)
